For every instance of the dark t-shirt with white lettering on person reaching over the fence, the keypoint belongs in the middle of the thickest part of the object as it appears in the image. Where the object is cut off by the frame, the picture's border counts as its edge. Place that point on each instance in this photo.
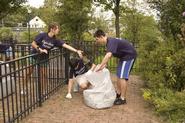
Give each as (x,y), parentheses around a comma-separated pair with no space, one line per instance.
(46,42)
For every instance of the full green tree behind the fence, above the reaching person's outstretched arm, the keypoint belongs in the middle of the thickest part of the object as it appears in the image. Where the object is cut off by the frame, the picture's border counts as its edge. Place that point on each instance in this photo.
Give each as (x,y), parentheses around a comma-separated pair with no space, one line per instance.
(74,17)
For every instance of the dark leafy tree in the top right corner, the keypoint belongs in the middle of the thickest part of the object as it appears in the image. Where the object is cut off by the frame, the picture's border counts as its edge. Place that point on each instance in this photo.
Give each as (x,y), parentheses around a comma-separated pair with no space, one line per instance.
(170,13)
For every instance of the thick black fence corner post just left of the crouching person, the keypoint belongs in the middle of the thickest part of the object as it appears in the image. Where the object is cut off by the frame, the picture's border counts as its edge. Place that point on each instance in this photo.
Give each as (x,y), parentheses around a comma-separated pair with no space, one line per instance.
(66,55)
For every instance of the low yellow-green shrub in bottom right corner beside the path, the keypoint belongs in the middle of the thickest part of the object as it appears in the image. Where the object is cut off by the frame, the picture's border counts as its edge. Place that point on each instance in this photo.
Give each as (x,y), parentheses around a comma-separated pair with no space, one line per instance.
(167,103)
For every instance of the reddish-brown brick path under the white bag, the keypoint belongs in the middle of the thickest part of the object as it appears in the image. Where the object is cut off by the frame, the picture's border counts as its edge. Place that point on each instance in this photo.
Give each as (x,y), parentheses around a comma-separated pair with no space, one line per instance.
(57,109)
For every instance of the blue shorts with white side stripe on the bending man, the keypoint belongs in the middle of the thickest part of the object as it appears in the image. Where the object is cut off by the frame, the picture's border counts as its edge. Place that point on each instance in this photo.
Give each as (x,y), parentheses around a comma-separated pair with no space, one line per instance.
(124,68)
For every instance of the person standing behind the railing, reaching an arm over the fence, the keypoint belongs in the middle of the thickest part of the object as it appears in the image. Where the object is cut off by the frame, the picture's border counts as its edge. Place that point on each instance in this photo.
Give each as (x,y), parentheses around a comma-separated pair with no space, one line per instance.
(42,44)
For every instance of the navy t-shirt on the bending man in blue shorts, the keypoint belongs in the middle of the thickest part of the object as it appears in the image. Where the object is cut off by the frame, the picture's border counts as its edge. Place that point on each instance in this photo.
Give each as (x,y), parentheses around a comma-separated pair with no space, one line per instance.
(121,49)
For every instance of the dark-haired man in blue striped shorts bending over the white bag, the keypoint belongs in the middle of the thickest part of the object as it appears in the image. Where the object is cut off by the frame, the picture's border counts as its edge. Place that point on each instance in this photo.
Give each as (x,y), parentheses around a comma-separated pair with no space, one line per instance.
(126,53)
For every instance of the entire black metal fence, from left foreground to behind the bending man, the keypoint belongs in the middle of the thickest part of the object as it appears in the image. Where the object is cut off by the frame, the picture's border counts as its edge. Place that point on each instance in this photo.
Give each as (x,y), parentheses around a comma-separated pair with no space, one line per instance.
(25,83)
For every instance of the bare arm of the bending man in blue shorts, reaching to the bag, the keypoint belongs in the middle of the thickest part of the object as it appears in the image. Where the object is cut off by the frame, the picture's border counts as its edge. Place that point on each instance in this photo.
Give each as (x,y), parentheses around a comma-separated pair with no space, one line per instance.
(104,61)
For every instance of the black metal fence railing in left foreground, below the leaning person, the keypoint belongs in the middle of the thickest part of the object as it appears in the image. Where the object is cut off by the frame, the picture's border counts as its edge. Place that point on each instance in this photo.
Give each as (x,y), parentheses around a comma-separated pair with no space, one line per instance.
(25,83)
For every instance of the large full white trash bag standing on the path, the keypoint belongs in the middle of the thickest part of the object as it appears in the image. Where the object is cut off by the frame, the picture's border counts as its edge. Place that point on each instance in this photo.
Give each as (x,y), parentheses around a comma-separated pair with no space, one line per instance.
(102,93)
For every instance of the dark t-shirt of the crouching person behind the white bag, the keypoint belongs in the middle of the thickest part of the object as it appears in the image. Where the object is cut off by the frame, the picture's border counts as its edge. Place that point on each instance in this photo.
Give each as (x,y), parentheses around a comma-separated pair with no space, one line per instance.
(81,69)
